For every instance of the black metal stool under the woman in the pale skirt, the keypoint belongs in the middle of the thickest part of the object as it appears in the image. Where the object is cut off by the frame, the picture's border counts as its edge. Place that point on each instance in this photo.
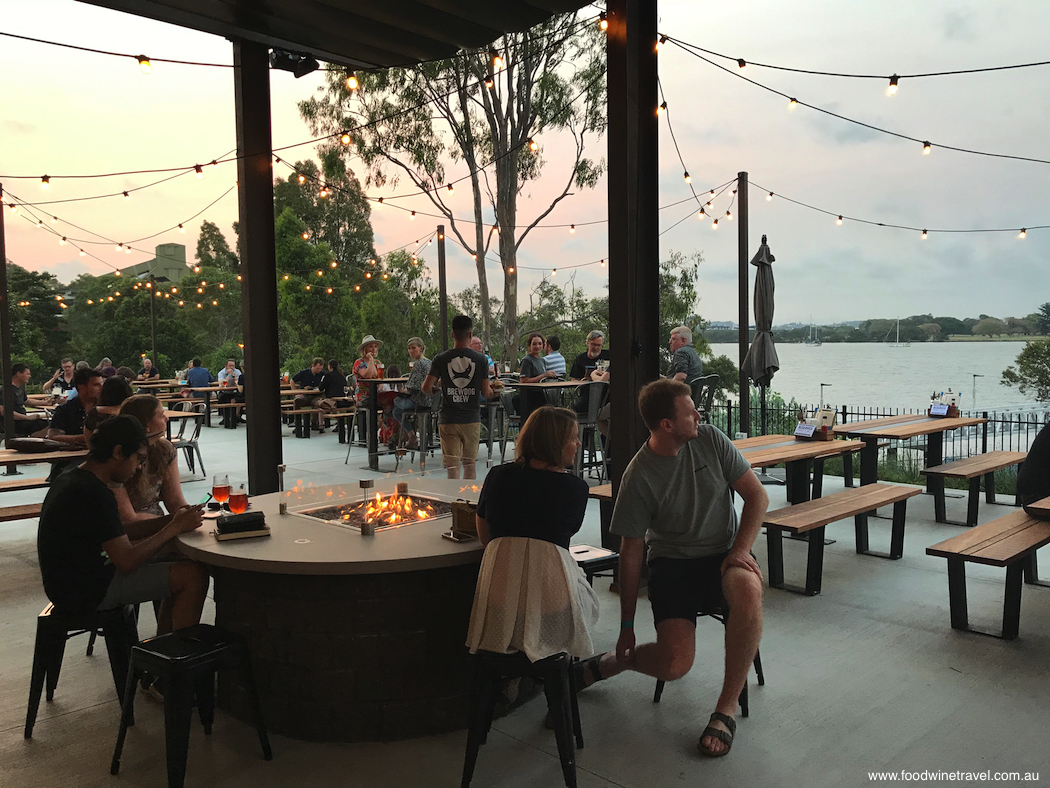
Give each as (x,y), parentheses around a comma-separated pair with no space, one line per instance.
(559,686)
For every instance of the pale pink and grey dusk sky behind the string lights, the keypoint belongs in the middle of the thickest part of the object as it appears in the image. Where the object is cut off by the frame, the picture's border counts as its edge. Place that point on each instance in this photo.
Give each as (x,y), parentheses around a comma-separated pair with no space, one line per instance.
(70,113)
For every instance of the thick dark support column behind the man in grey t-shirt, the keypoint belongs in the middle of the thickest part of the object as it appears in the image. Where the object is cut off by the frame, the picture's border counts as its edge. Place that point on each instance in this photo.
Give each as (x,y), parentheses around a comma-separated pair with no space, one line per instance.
(634,220)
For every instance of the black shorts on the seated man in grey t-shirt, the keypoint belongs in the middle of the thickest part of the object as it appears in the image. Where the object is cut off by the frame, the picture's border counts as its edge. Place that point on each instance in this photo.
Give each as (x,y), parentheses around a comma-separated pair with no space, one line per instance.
(683,588)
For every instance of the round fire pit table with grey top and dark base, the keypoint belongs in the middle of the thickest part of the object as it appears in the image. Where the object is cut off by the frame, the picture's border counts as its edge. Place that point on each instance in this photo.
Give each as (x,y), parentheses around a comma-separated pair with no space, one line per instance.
(352,638)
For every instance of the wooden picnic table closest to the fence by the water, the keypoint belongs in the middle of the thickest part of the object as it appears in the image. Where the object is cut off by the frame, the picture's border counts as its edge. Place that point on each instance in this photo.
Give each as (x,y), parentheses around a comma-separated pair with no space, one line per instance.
(901,428)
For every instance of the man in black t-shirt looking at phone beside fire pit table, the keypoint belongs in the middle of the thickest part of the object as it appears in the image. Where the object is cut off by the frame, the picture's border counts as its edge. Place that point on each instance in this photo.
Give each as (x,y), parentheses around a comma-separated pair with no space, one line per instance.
(89,562)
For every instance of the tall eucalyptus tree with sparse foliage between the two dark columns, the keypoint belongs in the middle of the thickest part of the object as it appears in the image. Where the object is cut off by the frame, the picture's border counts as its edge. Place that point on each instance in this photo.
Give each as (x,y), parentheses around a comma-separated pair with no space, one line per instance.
(486,111)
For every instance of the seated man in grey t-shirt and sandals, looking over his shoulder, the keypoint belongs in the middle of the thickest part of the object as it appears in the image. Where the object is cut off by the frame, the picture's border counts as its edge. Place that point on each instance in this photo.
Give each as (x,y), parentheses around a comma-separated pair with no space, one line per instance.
(676,497)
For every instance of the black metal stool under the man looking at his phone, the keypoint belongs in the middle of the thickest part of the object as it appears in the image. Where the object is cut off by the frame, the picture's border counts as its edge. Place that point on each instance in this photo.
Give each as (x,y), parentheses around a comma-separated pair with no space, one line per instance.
(54,629)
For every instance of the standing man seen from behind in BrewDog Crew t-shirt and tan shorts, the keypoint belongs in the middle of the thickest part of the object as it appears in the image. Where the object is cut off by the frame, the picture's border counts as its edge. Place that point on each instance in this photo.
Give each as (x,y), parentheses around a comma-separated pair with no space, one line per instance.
(464,375)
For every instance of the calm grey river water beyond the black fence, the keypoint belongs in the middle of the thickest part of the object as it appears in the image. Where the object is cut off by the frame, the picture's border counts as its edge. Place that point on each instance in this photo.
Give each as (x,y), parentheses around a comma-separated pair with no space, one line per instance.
(877,376)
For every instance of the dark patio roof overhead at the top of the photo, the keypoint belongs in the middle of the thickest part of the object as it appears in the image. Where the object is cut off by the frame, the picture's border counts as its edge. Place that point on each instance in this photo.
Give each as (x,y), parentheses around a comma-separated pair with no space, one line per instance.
(361,34)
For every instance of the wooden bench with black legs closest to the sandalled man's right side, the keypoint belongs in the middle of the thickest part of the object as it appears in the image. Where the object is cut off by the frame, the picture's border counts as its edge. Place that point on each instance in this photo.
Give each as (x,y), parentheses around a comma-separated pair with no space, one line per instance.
(813,516)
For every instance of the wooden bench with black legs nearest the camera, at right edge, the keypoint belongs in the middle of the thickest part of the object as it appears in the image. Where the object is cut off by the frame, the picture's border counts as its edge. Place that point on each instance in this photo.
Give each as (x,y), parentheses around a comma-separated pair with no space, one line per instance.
(1011,542)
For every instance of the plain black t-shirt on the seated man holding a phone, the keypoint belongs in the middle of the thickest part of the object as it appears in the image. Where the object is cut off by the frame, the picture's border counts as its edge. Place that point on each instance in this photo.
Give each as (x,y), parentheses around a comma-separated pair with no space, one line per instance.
(79,515)
